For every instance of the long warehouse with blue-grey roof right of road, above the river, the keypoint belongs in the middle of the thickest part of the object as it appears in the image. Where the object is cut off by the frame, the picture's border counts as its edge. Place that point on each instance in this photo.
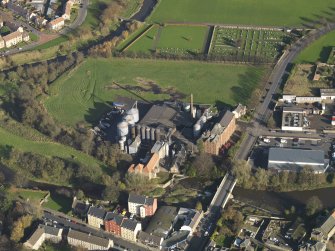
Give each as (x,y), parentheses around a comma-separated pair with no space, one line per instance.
(288,159)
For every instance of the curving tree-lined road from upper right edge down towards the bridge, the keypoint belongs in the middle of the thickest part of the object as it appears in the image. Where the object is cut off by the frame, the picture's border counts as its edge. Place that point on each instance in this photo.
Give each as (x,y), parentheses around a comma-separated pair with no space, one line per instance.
(263,112)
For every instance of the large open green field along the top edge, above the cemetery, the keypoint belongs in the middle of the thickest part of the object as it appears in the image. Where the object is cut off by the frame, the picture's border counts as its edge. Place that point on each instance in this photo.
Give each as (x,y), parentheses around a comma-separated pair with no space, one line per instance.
(251,12)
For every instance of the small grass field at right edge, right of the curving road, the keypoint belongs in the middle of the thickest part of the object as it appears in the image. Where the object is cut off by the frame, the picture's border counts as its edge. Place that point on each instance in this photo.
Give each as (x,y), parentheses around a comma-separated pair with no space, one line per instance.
(318,51)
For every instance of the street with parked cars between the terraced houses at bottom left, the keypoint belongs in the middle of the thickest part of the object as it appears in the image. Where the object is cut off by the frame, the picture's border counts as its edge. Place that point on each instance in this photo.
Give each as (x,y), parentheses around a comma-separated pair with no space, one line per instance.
(65,221)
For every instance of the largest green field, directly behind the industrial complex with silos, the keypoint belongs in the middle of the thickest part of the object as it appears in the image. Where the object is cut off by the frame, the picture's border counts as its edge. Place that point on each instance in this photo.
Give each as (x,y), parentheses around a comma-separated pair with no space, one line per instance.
(81,95)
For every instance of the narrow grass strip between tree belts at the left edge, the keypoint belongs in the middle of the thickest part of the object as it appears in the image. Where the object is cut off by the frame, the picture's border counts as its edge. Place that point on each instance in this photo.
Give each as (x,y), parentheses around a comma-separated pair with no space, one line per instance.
(46,148)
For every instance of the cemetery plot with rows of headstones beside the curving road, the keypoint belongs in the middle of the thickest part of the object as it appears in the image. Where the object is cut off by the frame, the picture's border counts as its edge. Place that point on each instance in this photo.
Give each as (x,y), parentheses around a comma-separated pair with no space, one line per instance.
(247,43)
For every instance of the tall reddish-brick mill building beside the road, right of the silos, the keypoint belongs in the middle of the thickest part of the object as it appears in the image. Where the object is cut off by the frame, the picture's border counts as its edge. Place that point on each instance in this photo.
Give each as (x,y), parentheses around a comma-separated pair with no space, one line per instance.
(214,139)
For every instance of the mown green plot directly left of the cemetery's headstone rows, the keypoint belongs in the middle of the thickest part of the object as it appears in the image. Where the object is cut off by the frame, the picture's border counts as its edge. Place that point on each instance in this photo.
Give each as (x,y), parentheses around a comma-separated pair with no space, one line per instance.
(172,39)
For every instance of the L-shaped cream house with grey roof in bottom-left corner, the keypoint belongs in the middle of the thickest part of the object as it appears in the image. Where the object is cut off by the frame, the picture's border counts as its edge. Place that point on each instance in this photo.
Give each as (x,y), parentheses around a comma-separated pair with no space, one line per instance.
(42,233)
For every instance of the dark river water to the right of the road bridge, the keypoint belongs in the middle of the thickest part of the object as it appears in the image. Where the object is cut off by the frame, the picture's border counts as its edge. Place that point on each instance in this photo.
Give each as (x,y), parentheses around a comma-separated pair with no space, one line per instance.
(283,200)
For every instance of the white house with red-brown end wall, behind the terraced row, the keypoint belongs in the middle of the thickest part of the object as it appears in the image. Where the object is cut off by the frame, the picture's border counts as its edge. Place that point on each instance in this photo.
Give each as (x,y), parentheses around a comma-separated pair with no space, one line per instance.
(142,205)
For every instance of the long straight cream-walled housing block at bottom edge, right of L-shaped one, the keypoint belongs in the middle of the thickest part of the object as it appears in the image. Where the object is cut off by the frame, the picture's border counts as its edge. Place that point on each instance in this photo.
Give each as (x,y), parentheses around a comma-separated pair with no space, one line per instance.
(88,241)
